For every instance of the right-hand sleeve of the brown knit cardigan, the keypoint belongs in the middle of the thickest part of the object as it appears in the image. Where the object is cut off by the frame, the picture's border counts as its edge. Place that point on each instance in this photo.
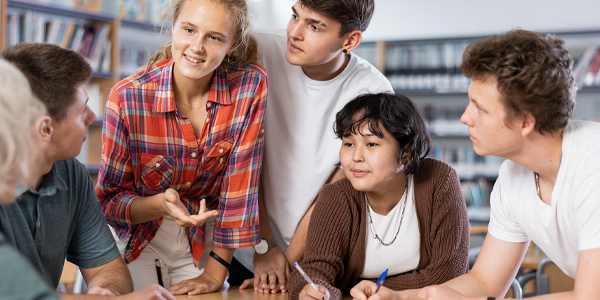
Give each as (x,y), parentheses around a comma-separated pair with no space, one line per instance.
(447,244)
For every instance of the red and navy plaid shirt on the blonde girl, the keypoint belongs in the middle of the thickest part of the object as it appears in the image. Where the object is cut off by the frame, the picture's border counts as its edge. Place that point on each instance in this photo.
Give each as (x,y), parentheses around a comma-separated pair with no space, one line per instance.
(148,146)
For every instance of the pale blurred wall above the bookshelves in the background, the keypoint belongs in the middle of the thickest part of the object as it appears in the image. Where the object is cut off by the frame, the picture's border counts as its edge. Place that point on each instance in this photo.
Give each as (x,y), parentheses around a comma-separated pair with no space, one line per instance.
(415,19)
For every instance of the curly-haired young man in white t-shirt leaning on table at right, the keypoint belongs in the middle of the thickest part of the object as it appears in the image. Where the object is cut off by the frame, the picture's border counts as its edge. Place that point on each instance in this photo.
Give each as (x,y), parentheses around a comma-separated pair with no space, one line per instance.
(522,96)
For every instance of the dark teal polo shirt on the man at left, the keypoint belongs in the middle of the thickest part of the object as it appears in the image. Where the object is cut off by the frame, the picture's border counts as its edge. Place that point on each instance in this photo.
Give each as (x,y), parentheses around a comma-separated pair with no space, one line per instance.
(62,219)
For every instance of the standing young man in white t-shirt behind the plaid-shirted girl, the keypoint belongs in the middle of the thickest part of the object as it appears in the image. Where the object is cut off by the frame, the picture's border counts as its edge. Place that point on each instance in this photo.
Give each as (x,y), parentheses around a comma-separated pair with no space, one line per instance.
(312,75)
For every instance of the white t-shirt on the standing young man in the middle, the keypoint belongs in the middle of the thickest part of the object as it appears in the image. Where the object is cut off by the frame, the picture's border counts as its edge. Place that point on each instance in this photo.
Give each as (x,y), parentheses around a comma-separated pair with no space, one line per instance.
(301,149)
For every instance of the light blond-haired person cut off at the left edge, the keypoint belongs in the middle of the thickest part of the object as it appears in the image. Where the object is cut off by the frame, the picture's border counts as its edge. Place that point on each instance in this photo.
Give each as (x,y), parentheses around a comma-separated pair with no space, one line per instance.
(16,120)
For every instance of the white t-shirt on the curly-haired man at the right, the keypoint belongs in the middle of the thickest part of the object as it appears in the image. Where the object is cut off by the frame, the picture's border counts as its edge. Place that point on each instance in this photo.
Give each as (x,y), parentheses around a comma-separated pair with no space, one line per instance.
(572,223)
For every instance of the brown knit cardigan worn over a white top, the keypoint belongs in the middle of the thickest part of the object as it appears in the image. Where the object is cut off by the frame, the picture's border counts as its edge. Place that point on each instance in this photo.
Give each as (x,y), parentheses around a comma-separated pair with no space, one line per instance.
(335,246)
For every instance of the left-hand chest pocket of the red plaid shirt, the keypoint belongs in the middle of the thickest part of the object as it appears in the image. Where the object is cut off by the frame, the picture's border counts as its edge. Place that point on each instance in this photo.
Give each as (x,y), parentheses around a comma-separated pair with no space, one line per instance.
(157,171)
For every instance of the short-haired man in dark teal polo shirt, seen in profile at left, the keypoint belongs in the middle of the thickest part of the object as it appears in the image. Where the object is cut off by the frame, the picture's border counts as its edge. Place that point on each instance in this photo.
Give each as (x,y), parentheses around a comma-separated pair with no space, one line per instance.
(60,216)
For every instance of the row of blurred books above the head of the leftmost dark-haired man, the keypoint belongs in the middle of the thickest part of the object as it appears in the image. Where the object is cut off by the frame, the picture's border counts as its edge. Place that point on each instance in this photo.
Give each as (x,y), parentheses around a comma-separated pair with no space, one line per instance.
(90,39)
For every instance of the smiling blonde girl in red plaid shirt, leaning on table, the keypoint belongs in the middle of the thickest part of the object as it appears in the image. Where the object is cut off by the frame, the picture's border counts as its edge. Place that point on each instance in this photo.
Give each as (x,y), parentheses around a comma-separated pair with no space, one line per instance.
(183,143)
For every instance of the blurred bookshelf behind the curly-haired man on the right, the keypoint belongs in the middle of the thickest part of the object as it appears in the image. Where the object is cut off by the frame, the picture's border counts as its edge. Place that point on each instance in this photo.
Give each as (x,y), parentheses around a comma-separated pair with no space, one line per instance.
(428,72)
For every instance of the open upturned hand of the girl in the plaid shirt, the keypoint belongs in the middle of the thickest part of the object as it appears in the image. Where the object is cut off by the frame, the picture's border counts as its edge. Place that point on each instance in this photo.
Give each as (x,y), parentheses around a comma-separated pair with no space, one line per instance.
(175,208)
